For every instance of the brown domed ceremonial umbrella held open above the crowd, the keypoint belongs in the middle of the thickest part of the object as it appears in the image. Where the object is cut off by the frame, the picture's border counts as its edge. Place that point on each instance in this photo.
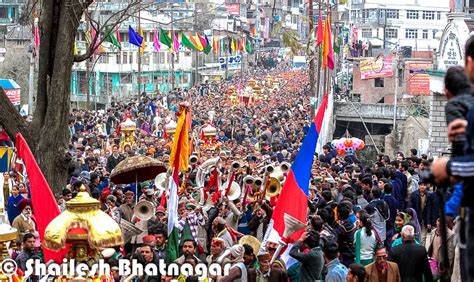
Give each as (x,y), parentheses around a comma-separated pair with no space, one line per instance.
(136,169)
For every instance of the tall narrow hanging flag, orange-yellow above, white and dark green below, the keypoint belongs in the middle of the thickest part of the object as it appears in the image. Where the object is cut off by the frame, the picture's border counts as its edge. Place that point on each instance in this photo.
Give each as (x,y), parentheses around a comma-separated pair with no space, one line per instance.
(178,159)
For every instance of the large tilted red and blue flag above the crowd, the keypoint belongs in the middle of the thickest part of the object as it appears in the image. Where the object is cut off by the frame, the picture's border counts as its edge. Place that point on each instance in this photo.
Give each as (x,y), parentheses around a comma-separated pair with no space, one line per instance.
(296,186)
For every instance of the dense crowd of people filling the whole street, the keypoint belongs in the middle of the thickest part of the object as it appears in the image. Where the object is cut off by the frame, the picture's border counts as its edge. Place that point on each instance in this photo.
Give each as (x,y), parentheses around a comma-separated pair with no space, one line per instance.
(374,223)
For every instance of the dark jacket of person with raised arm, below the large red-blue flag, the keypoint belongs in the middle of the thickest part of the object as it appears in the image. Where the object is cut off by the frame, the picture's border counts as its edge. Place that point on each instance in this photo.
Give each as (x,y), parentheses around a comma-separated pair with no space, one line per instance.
(311,263)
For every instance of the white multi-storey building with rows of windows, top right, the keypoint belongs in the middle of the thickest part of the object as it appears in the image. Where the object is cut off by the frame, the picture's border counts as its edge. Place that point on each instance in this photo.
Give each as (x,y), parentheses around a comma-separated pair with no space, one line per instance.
(410,24)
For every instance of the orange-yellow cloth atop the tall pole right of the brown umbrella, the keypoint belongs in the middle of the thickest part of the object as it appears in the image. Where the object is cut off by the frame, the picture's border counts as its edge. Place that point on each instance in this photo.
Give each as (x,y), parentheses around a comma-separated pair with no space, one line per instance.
(180,148)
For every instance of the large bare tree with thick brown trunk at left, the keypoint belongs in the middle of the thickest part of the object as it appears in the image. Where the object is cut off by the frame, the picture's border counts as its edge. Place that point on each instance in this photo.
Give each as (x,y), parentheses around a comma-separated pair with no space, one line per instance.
(47,134)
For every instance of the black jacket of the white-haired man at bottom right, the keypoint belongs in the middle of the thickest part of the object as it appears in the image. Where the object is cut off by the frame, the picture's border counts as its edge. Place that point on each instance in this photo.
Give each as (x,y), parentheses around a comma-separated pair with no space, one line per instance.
(412,261)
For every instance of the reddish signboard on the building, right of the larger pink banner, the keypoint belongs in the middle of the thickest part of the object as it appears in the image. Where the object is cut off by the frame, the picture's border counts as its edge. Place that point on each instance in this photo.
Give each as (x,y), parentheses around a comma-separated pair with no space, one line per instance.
(418,82)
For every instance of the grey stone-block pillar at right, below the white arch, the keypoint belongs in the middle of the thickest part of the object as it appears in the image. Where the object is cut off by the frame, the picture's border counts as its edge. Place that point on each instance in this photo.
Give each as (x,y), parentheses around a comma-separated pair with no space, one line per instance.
(438,130)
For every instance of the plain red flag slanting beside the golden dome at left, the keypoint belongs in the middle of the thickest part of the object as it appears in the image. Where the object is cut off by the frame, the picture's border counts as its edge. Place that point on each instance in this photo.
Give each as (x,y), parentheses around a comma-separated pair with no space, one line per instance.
(44,204)
